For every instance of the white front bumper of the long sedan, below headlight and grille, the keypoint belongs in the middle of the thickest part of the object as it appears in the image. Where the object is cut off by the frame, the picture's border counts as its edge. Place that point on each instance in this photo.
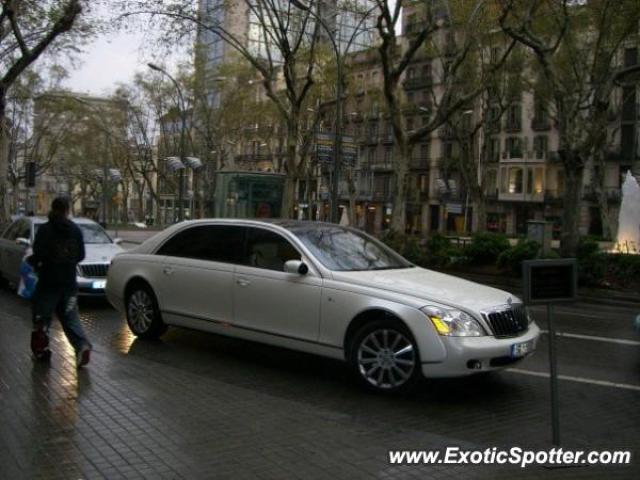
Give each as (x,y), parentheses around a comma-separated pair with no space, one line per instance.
(469,355)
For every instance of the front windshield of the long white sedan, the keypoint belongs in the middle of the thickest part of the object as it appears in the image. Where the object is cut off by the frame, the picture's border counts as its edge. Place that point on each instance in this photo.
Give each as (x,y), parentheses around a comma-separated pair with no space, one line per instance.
(347,250)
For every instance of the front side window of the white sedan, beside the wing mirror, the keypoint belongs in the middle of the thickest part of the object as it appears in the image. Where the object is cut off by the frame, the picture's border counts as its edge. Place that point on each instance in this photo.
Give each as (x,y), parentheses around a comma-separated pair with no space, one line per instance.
(268,250)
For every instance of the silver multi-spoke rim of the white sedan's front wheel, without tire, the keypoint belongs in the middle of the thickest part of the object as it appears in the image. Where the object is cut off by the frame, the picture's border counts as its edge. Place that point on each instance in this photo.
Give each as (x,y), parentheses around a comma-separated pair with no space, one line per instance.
(386,358)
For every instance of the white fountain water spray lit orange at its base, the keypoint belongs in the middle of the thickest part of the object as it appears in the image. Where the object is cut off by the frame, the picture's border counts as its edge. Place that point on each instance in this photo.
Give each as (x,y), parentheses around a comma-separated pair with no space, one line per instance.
(628,240)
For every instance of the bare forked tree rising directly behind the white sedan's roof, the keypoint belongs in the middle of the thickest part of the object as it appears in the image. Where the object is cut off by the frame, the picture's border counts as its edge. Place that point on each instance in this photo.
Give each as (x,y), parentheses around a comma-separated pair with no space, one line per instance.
(282,53)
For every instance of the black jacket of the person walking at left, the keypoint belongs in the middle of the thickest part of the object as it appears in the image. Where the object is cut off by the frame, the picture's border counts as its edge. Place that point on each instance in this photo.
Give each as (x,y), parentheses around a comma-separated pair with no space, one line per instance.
(57,250)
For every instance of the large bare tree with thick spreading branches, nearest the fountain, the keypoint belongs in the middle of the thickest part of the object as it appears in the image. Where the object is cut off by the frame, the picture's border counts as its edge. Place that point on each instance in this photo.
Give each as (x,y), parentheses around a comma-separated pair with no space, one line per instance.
(576,46)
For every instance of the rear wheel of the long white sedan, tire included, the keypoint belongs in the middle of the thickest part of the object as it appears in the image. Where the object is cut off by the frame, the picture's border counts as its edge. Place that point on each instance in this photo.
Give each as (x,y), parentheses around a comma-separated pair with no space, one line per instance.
(143,313)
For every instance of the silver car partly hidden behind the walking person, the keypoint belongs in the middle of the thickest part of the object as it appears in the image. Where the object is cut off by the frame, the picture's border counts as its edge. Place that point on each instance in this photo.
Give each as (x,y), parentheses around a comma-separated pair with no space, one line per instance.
(17,238)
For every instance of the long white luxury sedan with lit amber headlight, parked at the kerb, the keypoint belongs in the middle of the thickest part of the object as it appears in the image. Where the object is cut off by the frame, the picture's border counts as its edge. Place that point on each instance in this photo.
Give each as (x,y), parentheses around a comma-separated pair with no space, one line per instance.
(319,288)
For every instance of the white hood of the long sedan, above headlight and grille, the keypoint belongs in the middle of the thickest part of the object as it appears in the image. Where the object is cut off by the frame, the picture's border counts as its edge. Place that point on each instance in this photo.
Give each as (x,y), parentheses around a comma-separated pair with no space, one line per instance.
(432,287)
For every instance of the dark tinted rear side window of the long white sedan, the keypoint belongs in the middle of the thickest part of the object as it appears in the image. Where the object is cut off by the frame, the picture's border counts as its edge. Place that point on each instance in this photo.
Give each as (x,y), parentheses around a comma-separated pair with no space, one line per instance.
(217,243)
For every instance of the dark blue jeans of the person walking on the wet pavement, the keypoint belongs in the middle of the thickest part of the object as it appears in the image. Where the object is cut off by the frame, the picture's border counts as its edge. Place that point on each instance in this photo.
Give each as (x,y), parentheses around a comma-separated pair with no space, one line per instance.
(64,303)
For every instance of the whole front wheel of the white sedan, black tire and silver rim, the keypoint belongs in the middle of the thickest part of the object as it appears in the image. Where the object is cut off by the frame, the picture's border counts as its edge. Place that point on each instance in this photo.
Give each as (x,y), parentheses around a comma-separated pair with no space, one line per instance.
(384,357)
